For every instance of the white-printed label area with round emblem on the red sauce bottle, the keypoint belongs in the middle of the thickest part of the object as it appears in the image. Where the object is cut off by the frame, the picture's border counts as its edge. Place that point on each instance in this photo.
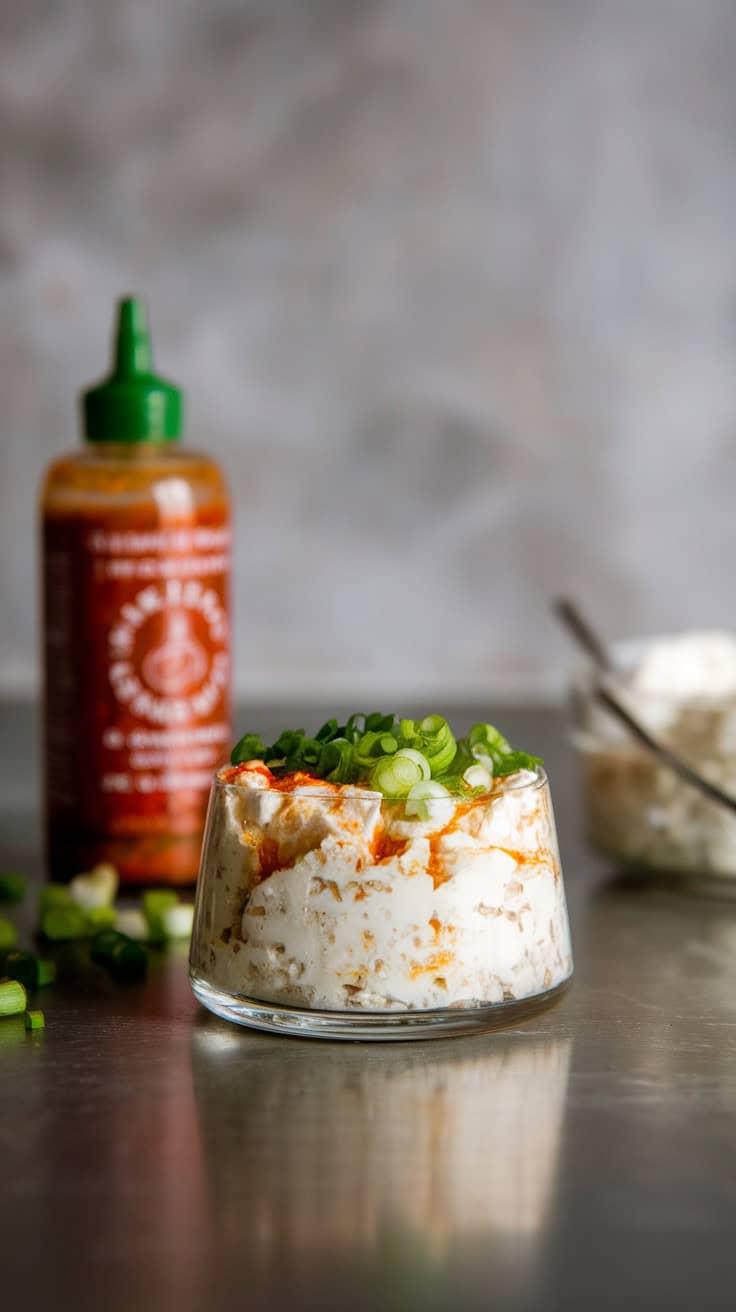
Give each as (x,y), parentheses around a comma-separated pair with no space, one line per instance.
(137,672)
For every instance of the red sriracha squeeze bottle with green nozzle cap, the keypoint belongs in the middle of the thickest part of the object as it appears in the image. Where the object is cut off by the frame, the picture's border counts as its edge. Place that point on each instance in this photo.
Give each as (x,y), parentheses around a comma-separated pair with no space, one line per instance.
(136,629)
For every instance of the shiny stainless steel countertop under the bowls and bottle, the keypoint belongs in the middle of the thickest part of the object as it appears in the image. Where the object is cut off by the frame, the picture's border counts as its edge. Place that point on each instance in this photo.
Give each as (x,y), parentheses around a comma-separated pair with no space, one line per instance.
(155,1158)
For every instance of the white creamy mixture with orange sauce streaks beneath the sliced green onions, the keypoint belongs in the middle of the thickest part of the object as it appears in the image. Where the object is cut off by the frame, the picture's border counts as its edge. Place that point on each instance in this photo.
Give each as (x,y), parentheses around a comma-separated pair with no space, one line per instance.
(333,928)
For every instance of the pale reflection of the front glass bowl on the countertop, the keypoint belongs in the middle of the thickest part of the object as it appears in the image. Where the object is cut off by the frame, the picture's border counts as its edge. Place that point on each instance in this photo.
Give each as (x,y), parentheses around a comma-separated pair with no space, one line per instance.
(312,1146)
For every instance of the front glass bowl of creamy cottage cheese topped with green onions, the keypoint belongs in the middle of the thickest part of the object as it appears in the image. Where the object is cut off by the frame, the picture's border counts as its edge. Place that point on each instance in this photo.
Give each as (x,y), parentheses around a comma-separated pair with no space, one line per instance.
(417,895)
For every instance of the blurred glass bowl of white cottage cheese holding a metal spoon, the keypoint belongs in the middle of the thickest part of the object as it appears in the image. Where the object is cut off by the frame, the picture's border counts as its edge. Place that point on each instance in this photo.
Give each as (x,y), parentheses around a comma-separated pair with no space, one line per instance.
(683,689)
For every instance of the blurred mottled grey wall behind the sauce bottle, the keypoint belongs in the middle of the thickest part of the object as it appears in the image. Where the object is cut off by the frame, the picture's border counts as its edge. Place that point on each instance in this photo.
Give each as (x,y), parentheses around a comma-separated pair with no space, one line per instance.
(453,291)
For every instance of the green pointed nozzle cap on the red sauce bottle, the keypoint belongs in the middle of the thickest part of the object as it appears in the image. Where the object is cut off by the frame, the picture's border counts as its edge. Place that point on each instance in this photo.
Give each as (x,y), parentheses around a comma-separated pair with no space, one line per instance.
(133,405)
